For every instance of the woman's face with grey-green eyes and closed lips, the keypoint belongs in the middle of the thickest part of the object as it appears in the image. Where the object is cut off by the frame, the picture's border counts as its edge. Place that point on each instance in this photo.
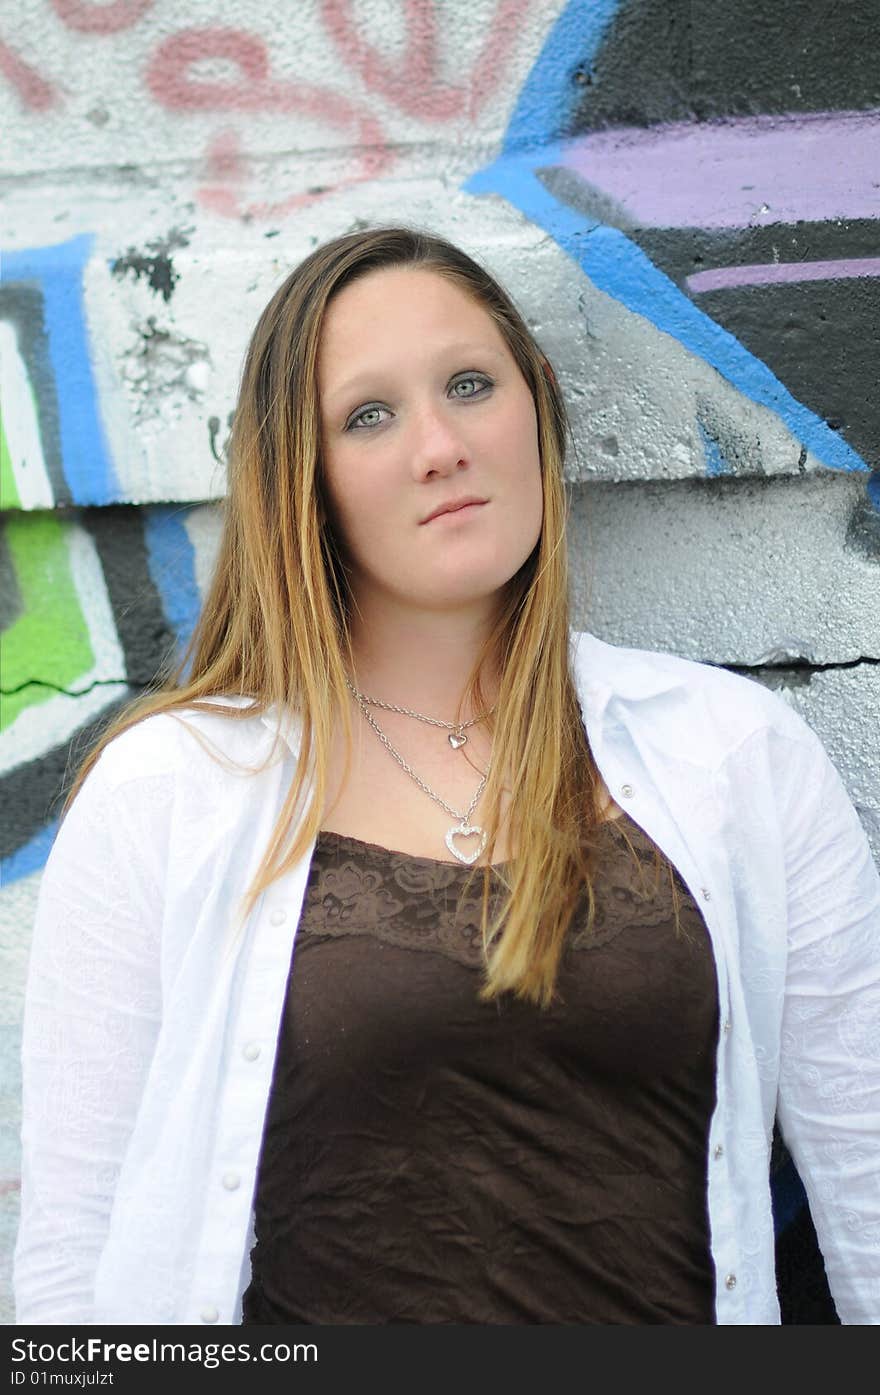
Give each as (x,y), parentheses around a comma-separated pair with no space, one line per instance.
(423,407)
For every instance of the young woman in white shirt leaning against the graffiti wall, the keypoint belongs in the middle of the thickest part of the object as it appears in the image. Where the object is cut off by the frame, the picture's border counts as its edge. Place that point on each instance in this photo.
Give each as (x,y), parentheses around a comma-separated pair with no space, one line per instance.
(412,959)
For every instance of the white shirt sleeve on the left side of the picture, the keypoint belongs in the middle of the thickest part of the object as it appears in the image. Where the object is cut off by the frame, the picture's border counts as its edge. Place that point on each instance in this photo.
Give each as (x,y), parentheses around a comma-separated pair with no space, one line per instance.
(93,1011)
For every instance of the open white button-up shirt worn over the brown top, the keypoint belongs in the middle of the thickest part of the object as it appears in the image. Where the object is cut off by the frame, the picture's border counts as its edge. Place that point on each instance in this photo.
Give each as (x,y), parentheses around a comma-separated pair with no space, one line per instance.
(153,1008)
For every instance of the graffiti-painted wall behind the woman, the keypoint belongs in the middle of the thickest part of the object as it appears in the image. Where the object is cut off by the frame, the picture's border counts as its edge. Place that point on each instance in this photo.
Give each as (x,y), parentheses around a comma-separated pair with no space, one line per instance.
(684,200)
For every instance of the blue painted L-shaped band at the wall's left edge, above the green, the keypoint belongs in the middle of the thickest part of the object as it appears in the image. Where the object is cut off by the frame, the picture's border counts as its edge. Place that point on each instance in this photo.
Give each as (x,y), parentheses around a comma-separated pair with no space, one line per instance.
(58,274)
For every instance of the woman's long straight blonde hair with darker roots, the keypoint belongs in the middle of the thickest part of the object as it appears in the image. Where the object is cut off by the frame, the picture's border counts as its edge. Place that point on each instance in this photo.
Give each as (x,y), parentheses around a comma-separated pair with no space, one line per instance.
(275,626)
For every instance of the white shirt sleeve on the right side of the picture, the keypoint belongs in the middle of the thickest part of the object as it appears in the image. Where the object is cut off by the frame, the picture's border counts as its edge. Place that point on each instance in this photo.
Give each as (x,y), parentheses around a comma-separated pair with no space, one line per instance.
(829,1103)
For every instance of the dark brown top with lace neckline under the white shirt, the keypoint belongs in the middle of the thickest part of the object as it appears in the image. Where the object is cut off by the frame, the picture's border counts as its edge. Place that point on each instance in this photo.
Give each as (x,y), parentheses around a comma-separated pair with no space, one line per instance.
(430,1159)
